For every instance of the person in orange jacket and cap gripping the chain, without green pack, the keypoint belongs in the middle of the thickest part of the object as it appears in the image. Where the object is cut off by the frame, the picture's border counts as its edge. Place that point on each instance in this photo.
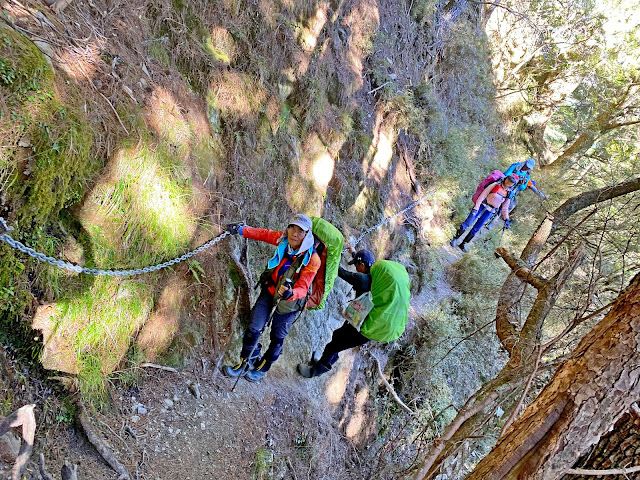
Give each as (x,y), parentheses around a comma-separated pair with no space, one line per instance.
(294,259)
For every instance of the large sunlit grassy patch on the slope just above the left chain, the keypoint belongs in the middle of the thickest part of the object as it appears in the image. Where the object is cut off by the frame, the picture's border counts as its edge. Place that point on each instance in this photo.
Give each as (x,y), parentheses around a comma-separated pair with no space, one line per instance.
(143,213)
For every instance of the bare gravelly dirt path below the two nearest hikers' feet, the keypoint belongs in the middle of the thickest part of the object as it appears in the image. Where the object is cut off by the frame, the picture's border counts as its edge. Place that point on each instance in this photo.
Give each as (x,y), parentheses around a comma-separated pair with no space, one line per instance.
(282,427)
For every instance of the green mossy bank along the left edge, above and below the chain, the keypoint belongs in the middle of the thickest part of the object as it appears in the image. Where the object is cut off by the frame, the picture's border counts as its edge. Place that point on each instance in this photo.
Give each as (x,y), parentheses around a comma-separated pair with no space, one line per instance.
(47,166)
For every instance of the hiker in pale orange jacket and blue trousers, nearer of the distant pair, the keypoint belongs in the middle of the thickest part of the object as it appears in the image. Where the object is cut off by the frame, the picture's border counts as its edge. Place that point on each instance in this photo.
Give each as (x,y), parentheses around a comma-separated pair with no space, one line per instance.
(493,194)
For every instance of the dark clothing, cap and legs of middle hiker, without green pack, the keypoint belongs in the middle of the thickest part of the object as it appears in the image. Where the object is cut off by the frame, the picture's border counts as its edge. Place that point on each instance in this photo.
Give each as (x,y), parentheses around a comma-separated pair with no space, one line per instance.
(347,336)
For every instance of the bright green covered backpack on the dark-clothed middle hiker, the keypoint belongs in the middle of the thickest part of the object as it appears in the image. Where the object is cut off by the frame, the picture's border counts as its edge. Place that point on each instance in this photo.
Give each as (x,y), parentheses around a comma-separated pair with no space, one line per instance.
(390,291)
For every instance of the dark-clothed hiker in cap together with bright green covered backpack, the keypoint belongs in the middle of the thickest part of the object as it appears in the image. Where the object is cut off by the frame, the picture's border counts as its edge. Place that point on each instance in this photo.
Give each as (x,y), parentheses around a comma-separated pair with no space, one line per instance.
(388,283)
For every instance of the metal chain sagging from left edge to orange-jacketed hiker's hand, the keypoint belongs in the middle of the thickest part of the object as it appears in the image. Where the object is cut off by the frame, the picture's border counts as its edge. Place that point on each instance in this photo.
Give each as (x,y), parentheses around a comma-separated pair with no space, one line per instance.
(5,237)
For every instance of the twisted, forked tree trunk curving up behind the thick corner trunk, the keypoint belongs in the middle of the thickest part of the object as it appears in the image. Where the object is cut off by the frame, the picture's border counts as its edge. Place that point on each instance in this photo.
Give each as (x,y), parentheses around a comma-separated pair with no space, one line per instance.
(520,340)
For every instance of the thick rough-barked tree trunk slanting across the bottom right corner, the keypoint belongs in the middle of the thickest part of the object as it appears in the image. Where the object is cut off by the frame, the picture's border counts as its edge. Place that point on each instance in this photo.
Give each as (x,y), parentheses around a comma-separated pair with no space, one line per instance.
(587,395)
